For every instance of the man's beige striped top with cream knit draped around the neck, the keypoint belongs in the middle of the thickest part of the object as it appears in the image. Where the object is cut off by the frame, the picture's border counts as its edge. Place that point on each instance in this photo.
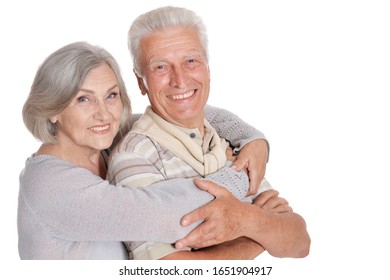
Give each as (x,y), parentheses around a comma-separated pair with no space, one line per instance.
(140,159)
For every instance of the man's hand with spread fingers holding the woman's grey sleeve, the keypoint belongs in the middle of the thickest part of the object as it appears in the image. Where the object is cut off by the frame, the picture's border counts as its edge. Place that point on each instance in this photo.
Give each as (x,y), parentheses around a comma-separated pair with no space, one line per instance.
(221,216)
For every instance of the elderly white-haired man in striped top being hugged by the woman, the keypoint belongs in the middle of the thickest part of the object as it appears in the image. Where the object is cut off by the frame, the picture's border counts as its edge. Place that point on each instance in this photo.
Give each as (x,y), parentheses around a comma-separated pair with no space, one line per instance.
(173,140)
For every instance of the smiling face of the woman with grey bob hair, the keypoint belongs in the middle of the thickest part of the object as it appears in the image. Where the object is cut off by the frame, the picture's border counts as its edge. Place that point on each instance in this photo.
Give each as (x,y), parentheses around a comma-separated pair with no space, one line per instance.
(93,117)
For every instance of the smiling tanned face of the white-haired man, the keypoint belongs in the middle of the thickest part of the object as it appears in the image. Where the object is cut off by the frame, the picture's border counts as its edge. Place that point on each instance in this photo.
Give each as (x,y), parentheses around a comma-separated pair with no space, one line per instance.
(176,76)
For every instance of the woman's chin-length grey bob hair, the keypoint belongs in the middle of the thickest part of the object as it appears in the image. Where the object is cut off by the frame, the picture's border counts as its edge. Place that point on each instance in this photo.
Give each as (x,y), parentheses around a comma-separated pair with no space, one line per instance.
(58,80)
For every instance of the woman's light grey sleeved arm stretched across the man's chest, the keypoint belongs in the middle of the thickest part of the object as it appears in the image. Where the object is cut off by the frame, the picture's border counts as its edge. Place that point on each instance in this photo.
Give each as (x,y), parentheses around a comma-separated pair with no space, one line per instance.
(74,204)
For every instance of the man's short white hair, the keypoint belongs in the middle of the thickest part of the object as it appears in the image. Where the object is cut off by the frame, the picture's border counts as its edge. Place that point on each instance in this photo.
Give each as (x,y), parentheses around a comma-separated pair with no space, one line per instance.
(159,19)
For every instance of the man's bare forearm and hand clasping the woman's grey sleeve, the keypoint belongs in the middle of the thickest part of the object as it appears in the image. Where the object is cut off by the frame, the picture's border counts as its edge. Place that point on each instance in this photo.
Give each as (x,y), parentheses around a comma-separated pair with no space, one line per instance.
(281,234)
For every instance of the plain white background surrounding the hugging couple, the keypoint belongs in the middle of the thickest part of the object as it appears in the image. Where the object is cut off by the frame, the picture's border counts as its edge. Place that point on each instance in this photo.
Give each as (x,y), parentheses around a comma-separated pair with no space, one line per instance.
(312,75)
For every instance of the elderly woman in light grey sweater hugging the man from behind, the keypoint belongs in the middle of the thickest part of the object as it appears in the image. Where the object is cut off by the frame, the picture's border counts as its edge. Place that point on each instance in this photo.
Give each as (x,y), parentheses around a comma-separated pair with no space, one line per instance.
(67,210)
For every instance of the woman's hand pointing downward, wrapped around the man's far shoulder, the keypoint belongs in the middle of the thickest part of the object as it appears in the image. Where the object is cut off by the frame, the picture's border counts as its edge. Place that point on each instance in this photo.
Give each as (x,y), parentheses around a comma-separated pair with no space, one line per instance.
(253,157)
